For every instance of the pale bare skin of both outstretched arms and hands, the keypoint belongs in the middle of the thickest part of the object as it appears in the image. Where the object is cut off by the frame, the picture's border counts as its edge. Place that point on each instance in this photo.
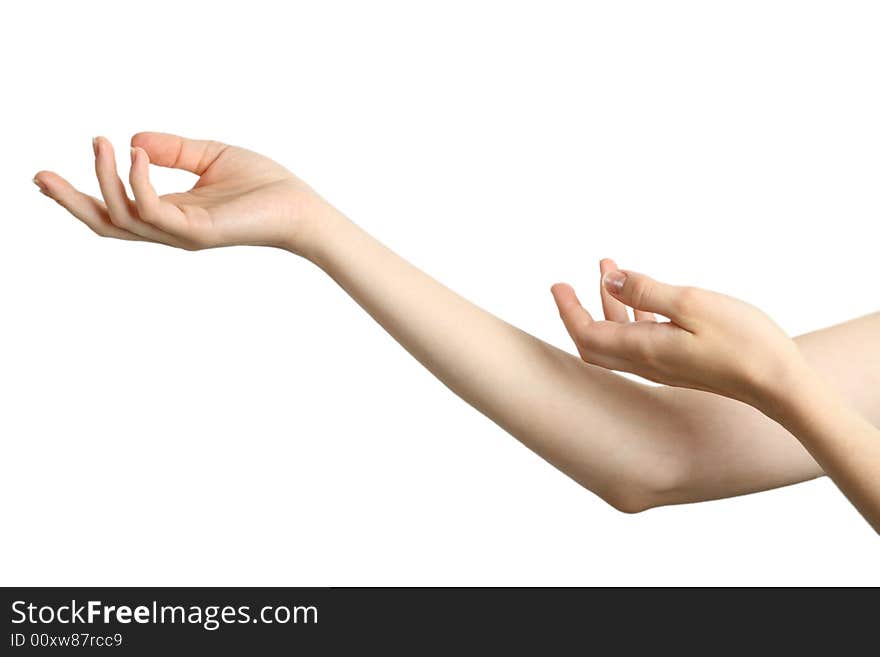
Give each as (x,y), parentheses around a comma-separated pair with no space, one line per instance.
(634,445)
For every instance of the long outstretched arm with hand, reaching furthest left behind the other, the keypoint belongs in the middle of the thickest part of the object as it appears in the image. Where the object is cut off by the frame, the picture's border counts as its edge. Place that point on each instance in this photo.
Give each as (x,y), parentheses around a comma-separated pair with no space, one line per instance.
(635,445)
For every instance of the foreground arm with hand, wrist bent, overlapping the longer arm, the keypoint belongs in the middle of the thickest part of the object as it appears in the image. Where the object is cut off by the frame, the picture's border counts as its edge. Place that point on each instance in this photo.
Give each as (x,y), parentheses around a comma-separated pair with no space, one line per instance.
(724,346)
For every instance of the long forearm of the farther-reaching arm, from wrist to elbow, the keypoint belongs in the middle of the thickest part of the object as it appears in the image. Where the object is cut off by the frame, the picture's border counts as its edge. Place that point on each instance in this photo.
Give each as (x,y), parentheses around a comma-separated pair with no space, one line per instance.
(594,425)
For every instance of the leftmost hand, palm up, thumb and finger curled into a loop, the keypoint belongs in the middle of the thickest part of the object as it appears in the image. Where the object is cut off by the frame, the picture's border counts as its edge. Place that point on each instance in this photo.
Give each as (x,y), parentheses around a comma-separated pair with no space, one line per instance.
(240,198)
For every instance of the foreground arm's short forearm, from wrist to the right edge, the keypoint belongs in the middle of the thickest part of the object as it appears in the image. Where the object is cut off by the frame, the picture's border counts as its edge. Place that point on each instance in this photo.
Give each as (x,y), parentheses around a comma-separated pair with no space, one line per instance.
(840,439)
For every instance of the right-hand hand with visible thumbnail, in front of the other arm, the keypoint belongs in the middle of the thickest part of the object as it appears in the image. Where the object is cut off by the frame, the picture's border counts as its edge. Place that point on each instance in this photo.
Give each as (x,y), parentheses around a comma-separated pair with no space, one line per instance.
(713,342)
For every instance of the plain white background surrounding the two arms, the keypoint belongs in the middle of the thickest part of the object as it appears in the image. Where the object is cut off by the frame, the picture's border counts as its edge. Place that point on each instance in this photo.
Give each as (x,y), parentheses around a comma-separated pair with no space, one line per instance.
(231,417)
